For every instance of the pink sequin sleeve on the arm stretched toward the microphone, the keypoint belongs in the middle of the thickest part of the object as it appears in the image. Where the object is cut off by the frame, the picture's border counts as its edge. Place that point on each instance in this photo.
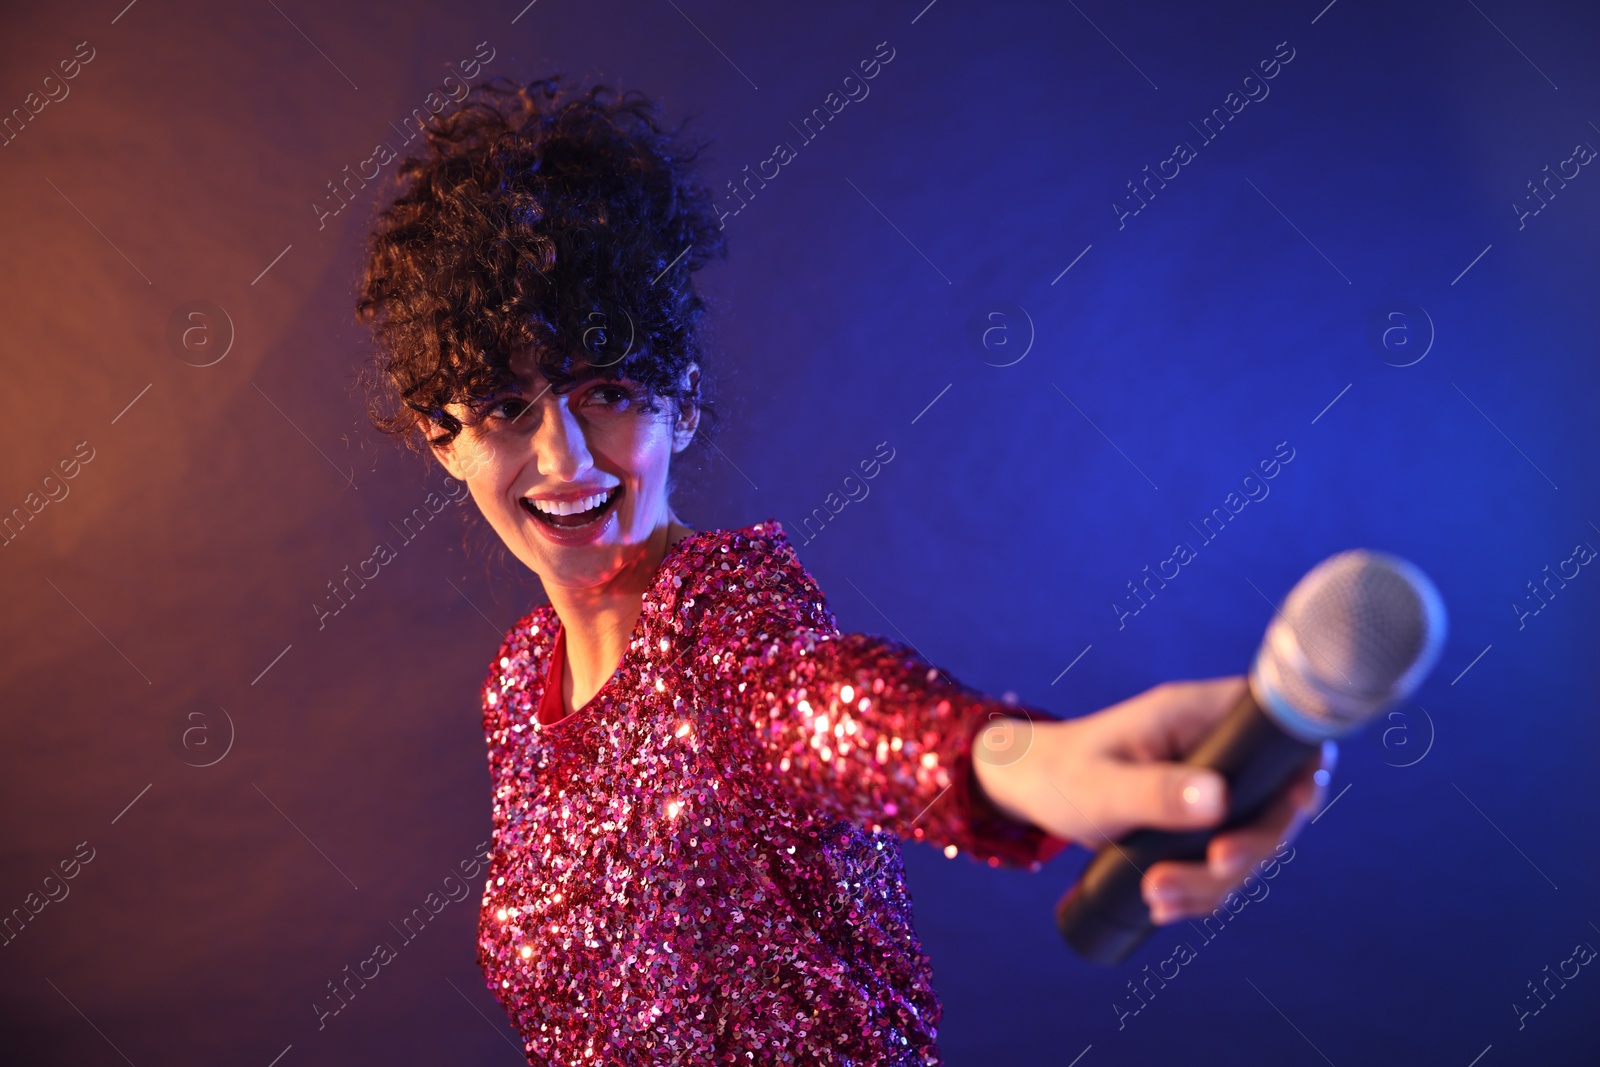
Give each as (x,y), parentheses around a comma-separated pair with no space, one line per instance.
(854,725)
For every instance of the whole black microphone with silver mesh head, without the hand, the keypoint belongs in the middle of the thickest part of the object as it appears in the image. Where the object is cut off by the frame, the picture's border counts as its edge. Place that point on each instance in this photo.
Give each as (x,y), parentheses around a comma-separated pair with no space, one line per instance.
(1354,637)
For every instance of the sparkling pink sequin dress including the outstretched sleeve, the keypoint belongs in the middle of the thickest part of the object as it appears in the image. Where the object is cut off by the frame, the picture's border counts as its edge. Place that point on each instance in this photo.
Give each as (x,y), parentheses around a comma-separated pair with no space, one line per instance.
(702,865)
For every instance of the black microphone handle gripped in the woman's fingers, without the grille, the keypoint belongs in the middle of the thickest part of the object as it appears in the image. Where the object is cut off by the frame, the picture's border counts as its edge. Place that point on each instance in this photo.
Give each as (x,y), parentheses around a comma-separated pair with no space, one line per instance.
(1105,916)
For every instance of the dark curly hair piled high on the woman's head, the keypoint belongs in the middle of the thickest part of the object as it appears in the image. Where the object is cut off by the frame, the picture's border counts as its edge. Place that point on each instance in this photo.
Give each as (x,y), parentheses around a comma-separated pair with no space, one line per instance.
(564,225)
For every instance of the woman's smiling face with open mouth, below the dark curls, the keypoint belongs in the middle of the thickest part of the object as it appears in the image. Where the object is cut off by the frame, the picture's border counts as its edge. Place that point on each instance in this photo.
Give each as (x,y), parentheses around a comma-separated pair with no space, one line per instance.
(574,484)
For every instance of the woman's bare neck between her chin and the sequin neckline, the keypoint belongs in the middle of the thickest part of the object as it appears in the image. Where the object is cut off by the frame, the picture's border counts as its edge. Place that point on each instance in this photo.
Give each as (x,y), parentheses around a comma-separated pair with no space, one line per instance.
(599,621)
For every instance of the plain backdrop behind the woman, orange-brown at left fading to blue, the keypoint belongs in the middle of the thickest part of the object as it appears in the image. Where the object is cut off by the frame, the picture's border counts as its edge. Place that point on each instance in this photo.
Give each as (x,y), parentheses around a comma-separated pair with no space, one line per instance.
(1148,367)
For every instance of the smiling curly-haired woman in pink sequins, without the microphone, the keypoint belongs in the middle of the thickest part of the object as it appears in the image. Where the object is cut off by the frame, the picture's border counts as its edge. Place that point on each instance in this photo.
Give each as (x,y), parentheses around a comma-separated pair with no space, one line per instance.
(700,783)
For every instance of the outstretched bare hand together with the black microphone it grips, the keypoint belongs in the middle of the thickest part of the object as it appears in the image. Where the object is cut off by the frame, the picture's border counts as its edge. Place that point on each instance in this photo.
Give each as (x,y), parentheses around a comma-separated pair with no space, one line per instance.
(1354,637)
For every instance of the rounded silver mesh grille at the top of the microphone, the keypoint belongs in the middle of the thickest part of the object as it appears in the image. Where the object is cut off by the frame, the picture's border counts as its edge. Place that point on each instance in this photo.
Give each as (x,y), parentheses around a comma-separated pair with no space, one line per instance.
(1356,636)
